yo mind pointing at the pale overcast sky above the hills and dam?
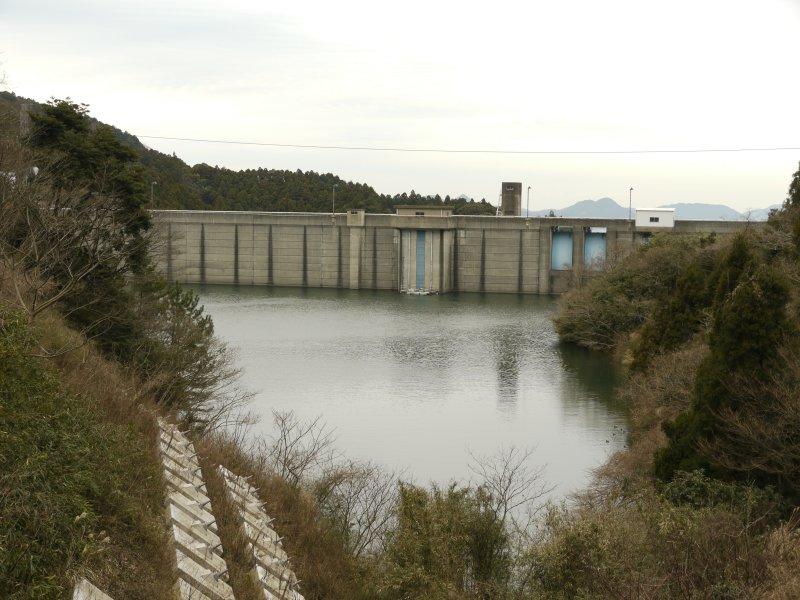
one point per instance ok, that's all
(535, 75)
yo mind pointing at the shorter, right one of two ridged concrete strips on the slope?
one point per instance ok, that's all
(271, 570)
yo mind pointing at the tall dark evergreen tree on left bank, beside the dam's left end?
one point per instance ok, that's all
(86, 159)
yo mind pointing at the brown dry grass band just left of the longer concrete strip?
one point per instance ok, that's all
(135, 560)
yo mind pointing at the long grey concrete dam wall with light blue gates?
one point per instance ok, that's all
(420, 249)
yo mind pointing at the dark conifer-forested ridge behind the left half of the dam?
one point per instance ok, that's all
(180, 186)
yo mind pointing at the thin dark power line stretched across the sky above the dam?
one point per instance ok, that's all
(455, 151)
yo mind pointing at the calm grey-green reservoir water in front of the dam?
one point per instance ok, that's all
(414, 383)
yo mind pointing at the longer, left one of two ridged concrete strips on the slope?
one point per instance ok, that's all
(201, 569)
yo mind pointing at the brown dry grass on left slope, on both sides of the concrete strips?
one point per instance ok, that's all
(137, 560)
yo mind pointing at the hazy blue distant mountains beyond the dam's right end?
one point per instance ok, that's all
(607, 208)
